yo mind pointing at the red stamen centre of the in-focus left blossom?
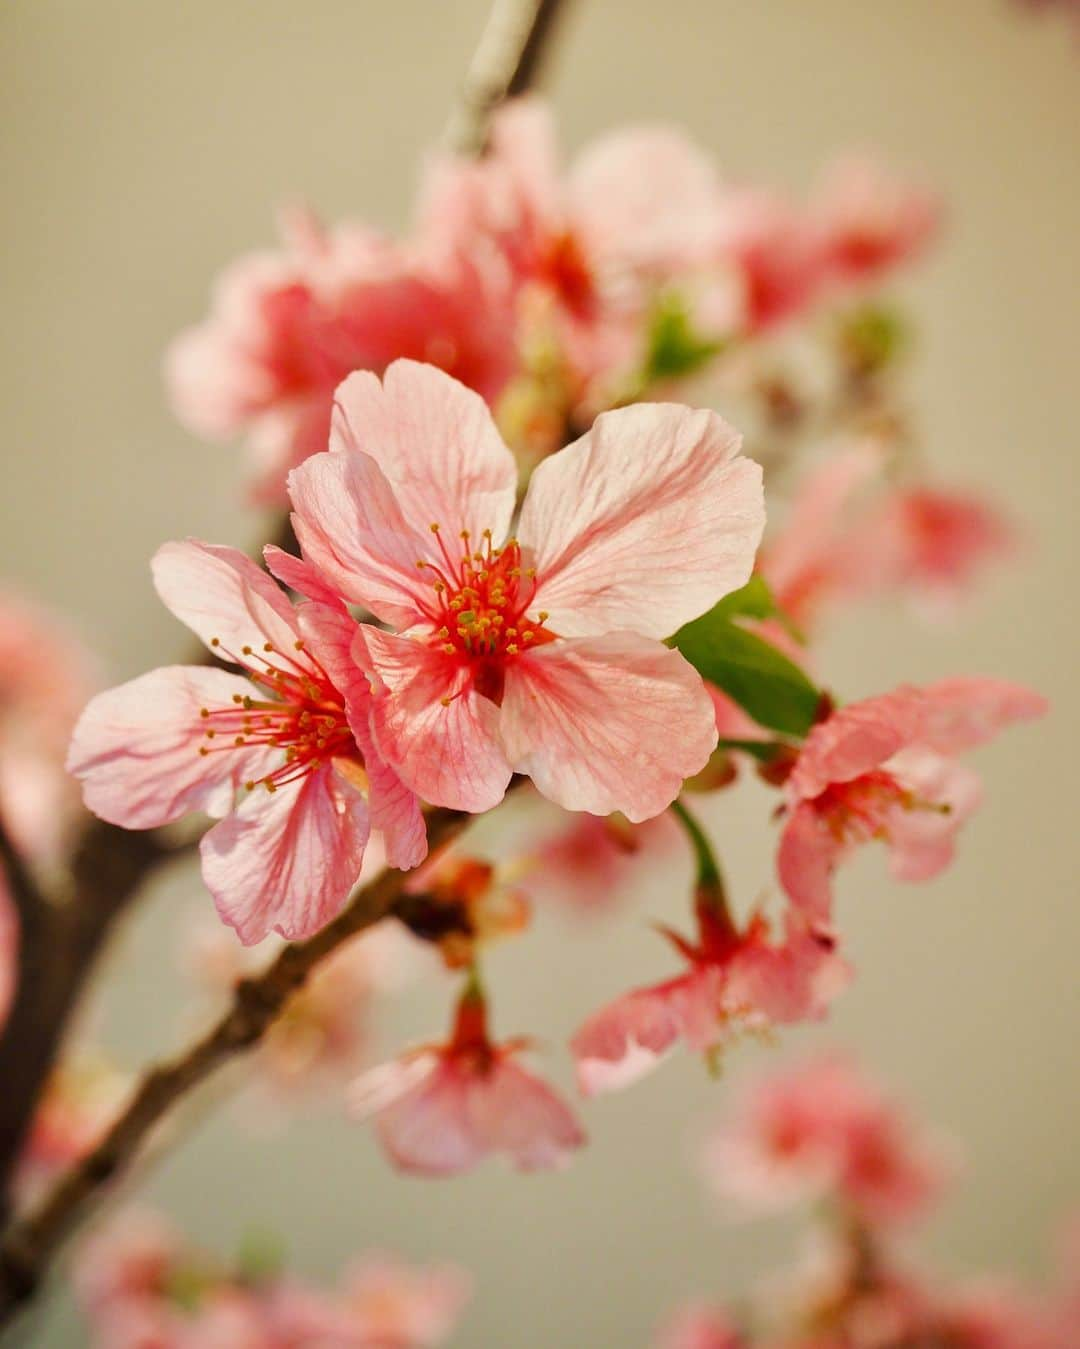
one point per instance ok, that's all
(295, 708)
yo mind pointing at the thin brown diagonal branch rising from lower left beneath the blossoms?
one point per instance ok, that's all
(32, 1242)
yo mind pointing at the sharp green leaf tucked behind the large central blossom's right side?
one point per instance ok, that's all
(757, 677)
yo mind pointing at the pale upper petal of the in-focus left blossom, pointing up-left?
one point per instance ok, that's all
(219, 593)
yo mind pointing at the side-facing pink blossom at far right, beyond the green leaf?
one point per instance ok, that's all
(885, 768)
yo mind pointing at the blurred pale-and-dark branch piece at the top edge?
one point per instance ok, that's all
(508, 63)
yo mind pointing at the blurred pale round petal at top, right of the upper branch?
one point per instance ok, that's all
(645, 198)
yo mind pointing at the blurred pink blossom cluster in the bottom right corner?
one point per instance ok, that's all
(823, 1131)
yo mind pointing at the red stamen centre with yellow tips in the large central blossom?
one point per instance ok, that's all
(481, 605)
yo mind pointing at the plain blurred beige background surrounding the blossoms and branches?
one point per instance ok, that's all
(146, 145)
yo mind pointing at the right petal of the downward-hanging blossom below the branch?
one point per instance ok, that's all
(514, 1112)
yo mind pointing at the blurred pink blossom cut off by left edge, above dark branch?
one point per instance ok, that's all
(47, 675)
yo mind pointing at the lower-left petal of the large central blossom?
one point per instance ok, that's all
(448, 755)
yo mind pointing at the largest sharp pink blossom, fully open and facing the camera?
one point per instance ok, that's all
(540, 655)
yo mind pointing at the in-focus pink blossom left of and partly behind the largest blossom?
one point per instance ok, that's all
(281, 737)
